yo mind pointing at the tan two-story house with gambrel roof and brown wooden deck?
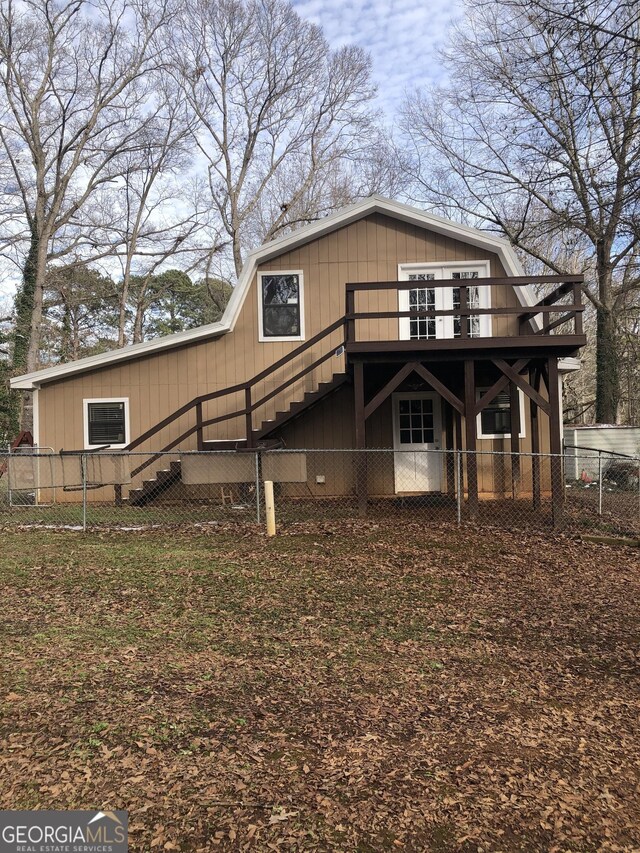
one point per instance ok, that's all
(381, 326)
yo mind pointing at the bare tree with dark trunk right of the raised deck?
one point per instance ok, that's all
(538, 137)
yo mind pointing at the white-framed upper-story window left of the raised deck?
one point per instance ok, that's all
(281, 306)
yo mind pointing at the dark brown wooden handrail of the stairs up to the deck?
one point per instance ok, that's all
(247, 386)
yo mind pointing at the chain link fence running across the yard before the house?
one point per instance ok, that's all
(596, 492)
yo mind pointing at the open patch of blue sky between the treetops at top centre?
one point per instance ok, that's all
(404, 37)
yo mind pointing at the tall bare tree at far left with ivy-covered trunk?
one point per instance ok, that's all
(75, 86)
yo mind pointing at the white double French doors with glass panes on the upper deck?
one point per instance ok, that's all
(445, 299)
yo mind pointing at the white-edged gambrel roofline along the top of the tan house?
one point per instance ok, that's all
(345, 216)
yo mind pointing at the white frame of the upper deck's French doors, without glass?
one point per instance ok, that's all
(442, 270)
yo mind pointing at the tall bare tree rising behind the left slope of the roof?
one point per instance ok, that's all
(279, 114)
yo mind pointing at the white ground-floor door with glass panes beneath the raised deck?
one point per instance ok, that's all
(416, 429)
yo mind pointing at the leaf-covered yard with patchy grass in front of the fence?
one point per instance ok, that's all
(343, 687)
